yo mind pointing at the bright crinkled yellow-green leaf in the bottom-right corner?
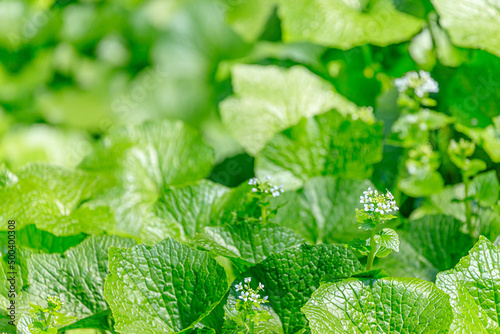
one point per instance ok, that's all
(474, 286)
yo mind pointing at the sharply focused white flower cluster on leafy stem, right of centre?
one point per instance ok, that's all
(376, 211)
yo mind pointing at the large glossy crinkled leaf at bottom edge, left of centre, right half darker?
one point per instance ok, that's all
(167, 288)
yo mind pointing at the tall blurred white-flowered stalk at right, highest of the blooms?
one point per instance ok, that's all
(414, 130)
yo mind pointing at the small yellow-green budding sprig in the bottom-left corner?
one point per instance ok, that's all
(48, 319)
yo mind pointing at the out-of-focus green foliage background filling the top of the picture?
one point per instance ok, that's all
(72, 70)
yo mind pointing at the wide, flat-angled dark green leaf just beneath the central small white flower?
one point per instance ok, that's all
(247, 244)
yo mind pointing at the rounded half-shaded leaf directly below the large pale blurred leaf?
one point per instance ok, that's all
(328, 144)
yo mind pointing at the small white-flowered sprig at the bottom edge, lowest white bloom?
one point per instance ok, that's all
(249, 307)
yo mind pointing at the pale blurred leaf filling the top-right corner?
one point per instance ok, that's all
(481, 30)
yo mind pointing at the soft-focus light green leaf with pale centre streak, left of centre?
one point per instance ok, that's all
(146, 158)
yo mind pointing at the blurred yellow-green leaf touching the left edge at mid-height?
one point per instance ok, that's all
(57, 200)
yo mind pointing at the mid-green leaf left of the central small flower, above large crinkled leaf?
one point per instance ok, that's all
(191, 206)
